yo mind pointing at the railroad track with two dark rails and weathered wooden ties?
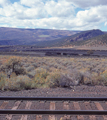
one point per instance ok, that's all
(41, 108)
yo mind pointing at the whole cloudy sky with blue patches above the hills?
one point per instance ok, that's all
(54, 14)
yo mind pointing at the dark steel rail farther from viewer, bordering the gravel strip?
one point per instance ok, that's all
(56, 98)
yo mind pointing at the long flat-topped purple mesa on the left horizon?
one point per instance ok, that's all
(17, 36)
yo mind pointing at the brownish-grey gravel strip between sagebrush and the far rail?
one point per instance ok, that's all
(74, 91)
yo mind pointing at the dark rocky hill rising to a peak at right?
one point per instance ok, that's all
(78, 39)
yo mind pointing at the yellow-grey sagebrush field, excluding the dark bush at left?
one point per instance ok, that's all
(42, 72)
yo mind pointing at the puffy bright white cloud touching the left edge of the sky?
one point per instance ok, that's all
(19, 11)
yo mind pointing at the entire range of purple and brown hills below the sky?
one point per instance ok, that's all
(52, 38)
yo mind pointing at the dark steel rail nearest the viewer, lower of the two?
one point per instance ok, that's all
(55, 112)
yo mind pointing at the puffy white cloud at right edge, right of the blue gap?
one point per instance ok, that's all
(94, 15)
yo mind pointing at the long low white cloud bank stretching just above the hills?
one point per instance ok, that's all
(51, 23)
